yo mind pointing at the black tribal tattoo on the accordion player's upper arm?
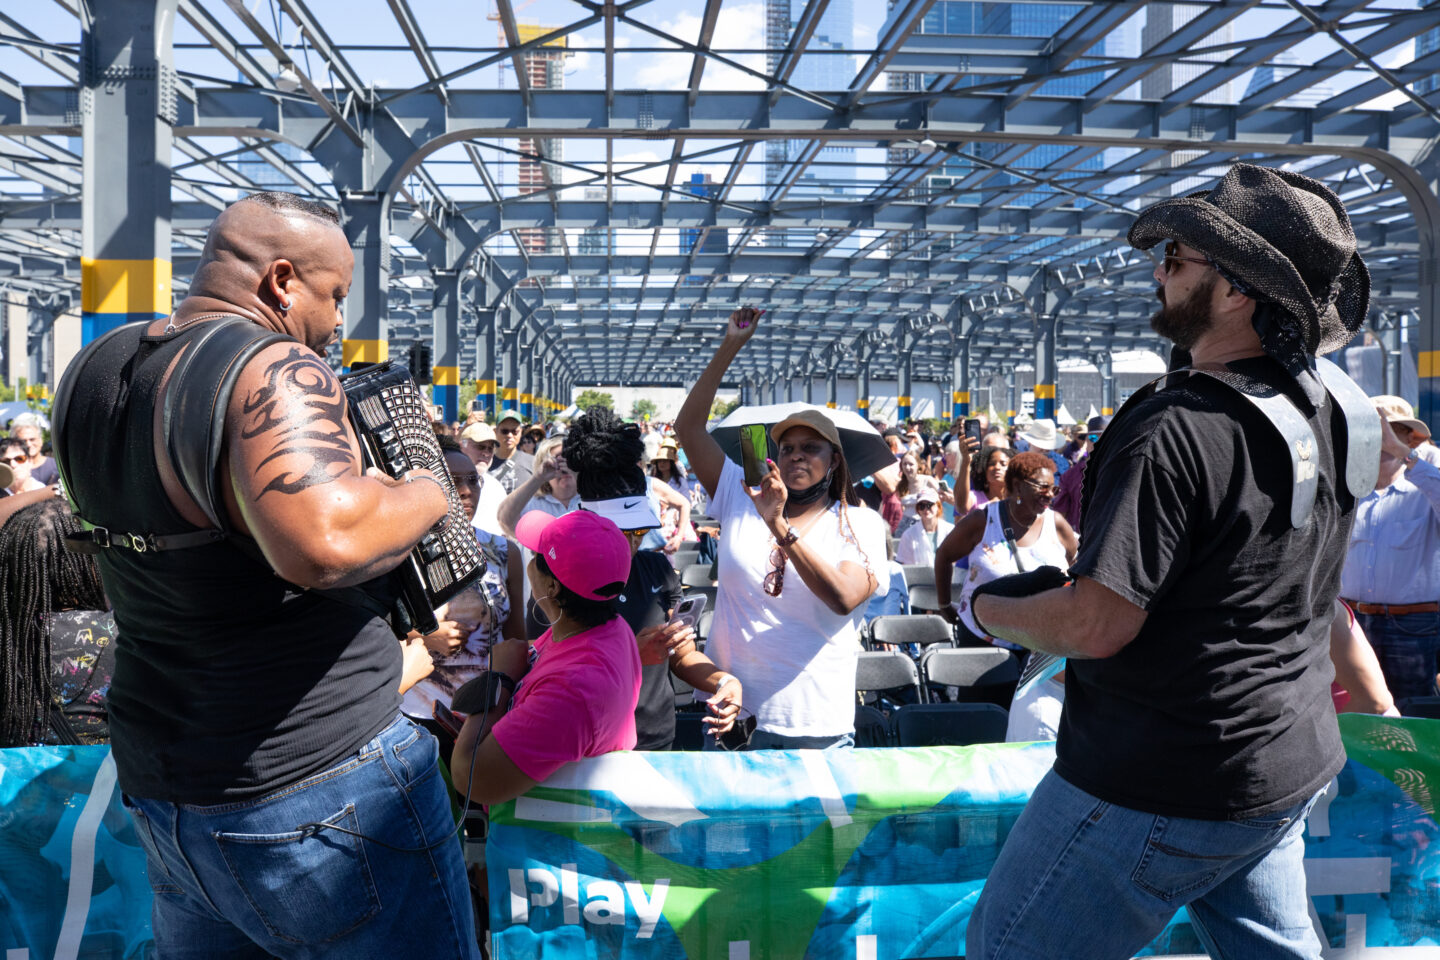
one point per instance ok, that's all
(300, 412)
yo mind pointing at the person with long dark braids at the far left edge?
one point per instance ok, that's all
(55, 634)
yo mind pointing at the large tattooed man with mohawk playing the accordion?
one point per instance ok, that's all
(286, 807)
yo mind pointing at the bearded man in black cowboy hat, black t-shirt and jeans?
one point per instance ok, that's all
(1197, 728)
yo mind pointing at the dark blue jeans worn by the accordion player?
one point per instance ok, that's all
(240, 880)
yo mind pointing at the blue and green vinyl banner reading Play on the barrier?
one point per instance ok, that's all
(881, 854)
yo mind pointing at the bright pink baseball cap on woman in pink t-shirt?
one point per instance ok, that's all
(585, 552)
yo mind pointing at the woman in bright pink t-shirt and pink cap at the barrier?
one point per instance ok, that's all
(575, 696)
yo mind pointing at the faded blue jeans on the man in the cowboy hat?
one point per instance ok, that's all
(1085, 879)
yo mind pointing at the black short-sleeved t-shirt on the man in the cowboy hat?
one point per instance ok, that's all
(1220, 707)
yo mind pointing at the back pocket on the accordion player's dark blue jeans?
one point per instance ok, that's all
(305, 886)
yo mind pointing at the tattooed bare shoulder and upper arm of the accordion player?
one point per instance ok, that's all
(287, 421)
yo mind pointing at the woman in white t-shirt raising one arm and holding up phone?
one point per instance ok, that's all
(798, 562)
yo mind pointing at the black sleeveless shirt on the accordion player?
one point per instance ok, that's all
(230, 683)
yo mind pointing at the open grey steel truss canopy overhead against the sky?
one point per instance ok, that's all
(578, 192)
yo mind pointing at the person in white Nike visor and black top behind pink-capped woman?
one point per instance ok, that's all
(606, 456)
